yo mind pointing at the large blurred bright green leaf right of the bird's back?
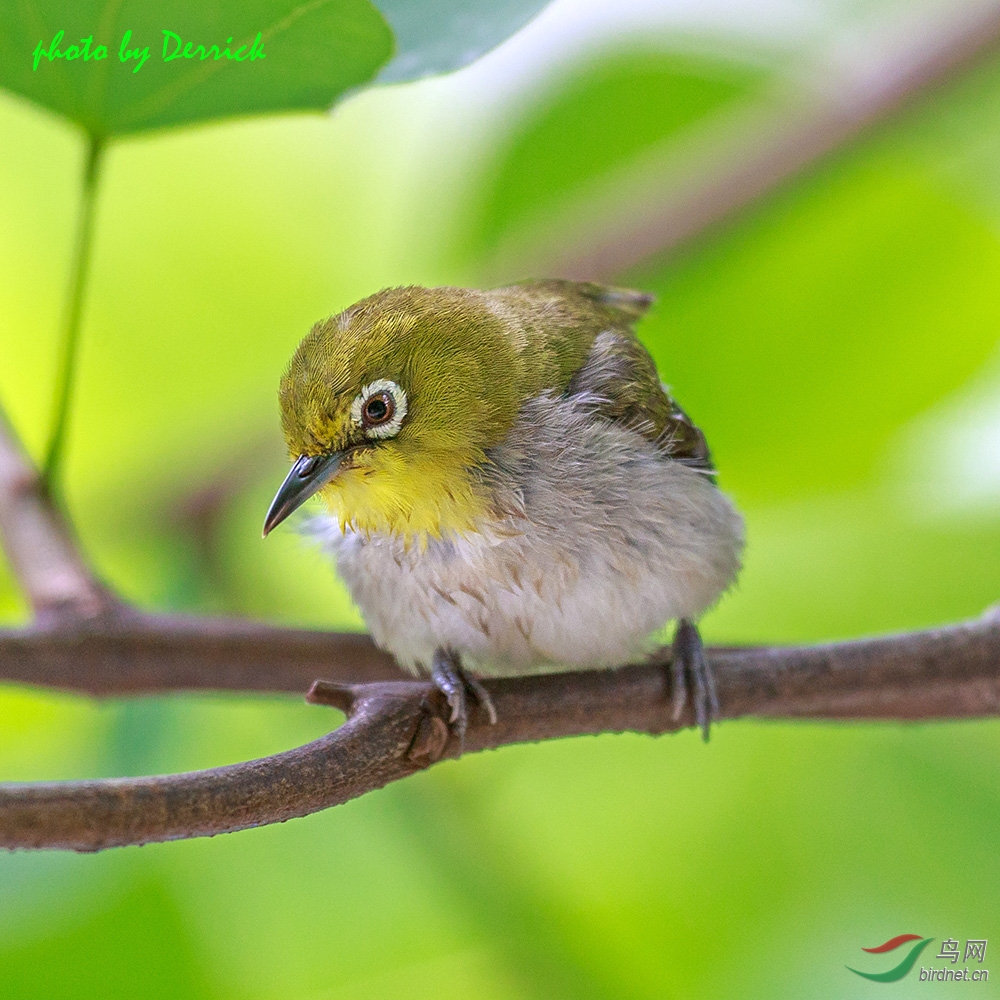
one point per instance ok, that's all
(809, 333)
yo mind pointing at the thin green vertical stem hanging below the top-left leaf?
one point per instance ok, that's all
(80, 267)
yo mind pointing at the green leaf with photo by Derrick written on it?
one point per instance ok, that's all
(282, 56)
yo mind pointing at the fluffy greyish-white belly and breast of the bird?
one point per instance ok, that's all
(607, 541)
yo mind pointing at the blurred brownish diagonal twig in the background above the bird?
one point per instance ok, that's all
(676, 199)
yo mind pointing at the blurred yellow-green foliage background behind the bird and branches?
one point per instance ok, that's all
(838, 343)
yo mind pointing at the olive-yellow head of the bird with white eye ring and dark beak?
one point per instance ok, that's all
(388, 408)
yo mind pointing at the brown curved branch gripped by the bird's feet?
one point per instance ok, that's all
(395, 729)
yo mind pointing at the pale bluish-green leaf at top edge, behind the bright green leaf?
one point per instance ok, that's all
(436, 36)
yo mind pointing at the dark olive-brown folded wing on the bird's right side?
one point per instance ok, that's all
(620, 381)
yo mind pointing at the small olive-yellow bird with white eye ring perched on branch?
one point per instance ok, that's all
(510, 488)
